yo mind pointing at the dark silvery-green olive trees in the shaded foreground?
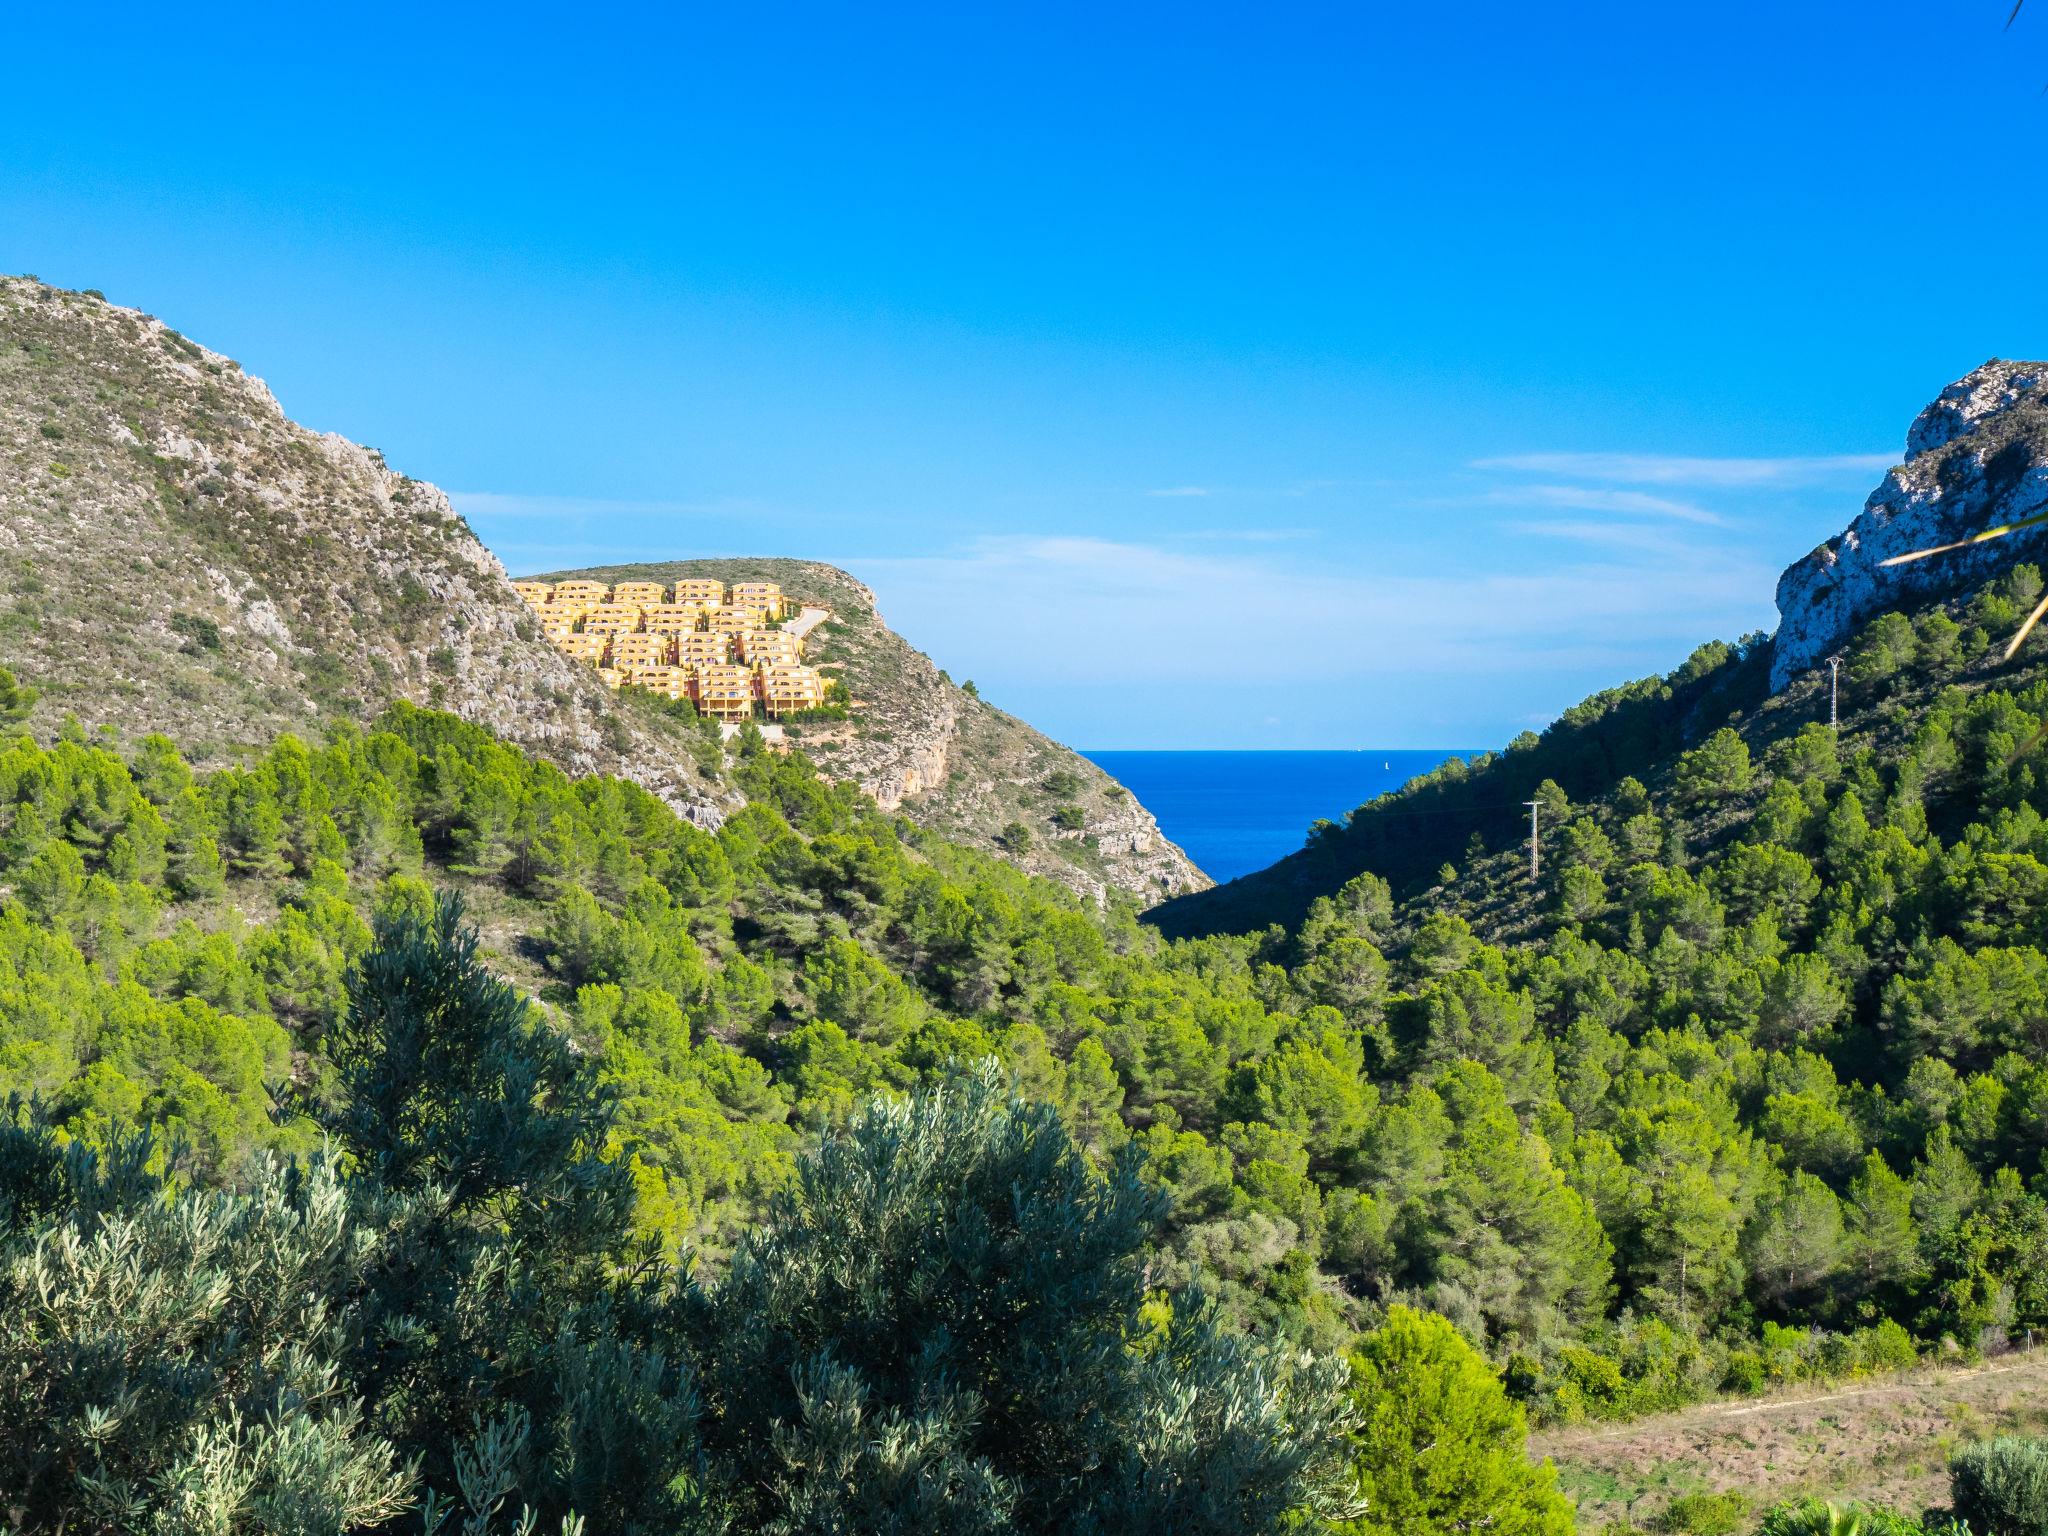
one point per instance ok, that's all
(441, 1320)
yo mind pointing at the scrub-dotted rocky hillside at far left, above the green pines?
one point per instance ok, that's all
(177, 554)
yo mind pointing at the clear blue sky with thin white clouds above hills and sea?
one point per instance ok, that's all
(1187, 376)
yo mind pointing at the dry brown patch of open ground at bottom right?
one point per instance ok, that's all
(1883, 1441)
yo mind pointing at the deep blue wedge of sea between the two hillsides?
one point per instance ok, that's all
(1238, 812)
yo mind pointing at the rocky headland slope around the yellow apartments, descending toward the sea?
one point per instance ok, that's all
(943, 757)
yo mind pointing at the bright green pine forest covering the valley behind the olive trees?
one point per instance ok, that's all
(1748, 1091)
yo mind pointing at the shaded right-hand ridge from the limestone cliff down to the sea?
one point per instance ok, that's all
(1975, 458)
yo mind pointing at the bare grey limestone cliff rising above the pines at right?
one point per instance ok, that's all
(1975, 458)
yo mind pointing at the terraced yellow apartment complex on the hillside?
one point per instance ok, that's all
(722, 648)
